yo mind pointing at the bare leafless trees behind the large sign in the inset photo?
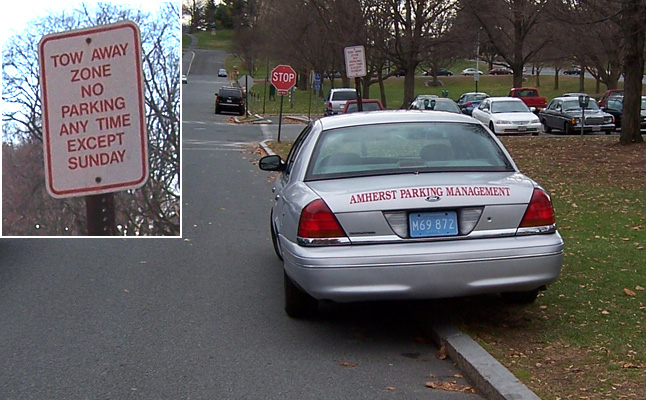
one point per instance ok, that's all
(153, 209)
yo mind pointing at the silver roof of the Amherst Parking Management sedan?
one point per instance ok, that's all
(391, 116)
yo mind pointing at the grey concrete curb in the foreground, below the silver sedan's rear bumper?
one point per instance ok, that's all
(491, 379)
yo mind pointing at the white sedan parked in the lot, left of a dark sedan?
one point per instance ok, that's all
(507, 115)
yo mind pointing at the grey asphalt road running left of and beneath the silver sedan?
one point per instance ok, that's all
(197, 317)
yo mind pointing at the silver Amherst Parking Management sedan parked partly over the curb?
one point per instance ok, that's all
(407, 205)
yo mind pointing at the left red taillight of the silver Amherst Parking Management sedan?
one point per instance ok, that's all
(318, 222)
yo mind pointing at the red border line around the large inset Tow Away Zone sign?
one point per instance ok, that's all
(98, 189)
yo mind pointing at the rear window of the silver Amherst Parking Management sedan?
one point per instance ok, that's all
(399, 148)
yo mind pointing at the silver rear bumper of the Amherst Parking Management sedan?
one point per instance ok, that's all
(424, 270)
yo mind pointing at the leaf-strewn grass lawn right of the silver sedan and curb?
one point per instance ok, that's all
(584, 338)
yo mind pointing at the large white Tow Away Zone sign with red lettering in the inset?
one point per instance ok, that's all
(94, 131)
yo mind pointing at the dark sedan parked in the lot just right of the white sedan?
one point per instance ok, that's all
(565, 113)
